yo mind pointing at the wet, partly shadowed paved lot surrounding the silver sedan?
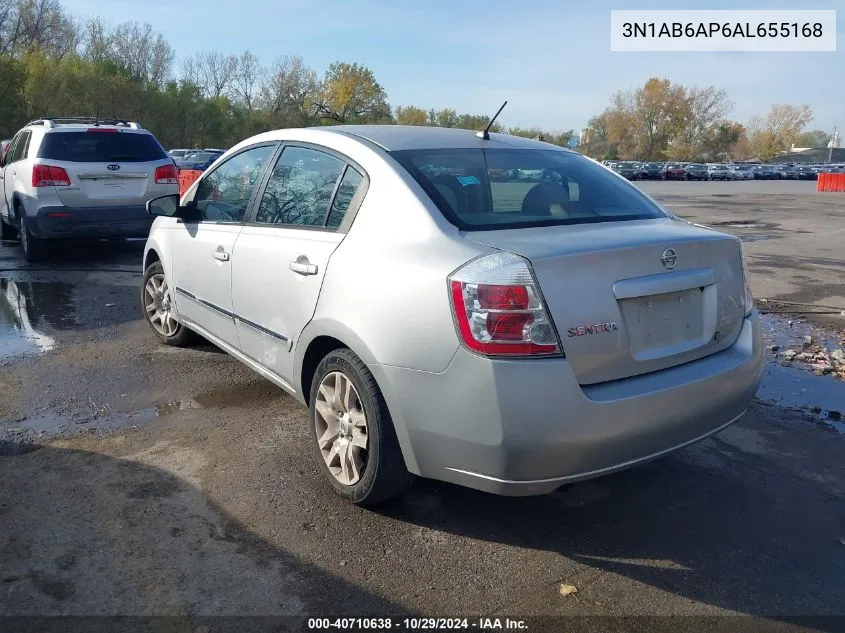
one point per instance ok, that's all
(137, 479)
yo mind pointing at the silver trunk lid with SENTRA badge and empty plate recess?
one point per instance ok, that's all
(633, 297)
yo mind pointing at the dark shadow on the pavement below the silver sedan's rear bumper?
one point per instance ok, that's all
(738, 526)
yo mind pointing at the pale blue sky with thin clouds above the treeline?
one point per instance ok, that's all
(550, 59)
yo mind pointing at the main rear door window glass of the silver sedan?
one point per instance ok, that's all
(300, 188)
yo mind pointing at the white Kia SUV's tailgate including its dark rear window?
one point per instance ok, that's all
(108, 166)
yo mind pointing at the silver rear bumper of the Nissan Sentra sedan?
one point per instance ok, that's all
(527, 427)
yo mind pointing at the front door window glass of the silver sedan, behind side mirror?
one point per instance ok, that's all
(224, 193)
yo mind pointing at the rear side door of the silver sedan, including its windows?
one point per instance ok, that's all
(281, 255)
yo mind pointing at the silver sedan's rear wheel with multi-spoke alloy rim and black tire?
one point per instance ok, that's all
(352, 432)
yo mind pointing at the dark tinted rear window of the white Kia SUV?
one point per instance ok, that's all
(101, 147)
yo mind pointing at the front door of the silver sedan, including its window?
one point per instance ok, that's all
(204, 244)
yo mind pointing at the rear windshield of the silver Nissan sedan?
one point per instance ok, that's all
(497, 189)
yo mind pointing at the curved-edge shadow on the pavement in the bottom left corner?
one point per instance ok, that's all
(88, 534)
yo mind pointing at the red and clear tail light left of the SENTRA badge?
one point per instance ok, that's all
(499, 310)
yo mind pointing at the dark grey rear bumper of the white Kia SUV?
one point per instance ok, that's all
(67, 222)
